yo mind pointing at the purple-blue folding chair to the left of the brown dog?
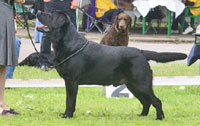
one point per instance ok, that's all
(93, 21)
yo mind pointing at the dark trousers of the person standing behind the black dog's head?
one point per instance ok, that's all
(45, 47)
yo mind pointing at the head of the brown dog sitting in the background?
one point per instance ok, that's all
(123, 22)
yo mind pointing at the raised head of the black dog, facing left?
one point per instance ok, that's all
(53, 20)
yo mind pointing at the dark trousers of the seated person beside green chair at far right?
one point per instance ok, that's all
(179, 19)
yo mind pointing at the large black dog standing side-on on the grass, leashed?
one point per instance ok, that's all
(79, 61)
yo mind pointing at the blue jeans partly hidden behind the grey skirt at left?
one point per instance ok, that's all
(10, 69)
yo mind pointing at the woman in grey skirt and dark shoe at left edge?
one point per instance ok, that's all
(8, 55)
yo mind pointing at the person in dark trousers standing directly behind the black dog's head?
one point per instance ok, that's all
(69, 6)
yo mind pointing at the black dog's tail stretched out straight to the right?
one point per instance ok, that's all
(163, 56)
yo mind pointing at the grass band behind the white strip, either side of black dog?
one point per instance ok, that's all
(168, 69)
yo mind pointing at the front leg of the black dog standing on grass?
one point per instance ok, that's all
(71, 93)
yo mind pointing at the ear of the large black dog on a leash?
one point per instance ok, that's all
(59, 19)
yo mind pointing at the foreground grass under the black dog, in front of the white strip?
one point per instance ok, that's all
(42, 107)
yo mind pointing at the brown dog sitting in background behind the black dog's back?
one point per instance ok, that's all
(118, 32)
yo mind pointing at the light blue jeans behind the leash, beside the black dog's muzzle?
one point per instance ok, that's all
(38, 35)
